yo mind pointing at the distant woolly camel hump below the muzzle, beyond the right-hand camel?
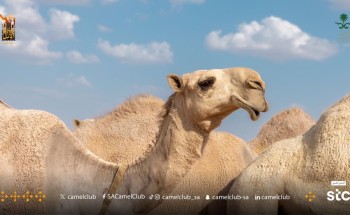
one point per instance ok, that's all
(286, 124)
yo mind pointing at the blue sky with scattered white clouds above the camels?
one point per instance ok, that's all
(79, 59)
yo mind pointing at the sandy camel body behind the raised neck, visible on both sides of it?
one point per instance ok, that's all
(224, 156)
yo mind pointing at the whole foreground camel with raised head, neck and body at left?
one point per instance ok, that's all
(54, 161)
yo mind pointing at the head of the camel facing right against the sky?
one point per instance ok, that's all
(208, 96)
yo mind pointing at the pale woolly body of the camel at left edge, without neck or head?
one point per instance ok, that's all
(32, 159)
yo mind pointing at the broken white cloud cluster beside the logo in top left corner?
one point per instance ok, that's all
(33, 34)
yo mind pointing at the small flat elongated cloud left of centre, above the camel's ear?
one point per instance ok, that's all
(155, 52)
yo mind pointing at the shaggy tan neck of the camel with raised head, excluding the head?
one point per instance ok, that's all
(178, 147)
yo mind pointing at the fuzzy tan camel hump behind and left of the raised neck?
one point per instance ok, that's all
(124, 134)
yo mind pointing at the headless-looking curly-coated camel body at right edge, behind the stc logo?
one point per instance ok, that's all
(299, 171)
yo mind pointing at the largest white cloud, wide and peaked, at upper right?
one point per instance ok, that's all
(272, 38)
